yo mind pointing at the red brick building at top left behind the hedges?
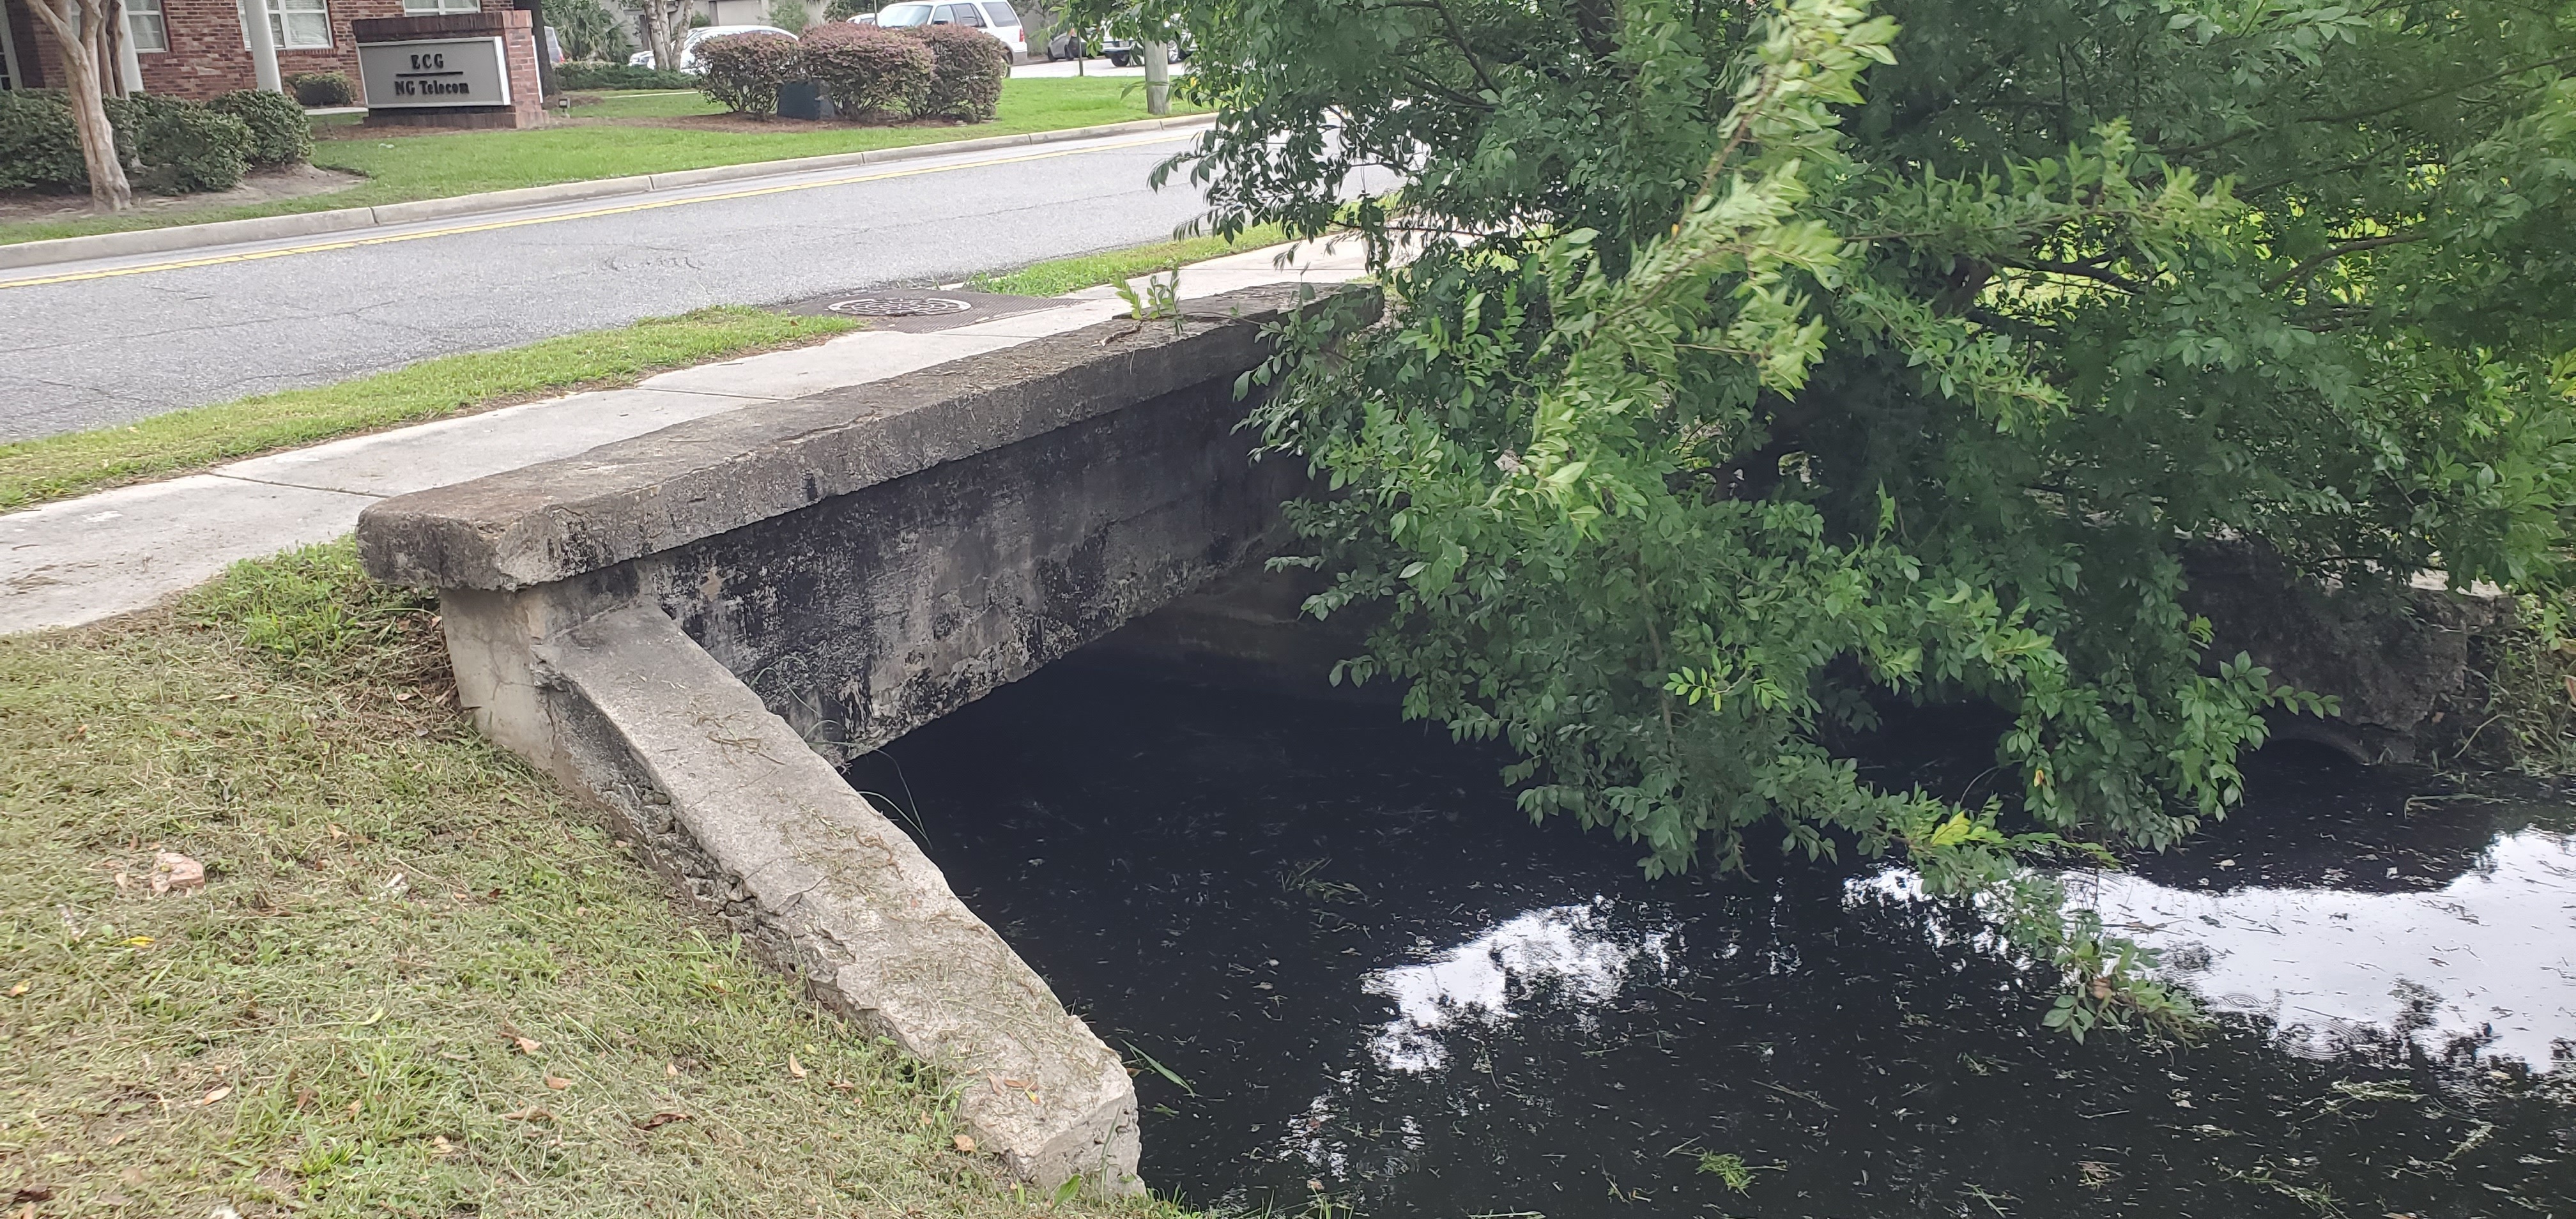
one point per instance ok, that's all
(200, 48)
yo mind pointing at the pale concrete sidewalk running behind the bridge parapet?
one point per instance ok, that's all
(115, 553)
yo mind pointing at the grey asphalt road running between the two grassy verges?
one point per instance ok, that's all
(148, 336)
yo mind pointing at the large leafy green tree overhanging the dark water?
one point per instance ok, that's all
(1756, 367)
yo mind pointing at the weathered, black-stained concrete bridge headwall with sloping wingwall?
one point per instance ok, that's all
(676, 625)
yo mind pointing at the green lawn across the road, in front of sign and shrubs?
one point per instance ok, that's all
(403, 169)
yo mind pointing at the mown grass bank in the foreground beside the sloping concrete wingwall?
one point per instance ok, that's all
(416, 981)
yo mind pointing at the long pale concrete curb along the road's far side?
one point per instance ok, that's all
(367, 218)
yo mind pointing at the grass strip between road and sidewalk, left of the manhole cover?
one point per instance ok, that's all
(452, 385)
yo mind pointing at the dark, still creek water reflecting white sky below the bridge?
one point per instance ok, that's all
(1385, 983)
